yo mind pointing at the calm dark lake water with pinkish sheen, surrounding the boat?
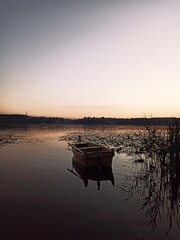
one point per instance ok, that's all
(41, 199)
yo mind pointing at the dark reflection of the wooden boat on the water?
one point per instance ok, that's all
(93, 173)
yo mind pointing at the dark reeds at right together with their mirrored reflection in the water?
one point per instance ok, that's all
(157, 181)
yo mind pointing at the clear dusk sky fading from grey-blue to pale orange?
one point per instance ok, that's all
(77, 58)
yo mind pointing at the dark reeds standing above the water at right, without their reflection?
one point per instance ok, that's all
(163, 142)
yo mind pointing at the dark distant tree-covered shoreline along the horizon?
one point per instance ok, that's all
(24, 119)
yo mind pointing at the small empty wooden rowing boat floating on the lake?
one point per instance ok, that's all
(91, 154)
